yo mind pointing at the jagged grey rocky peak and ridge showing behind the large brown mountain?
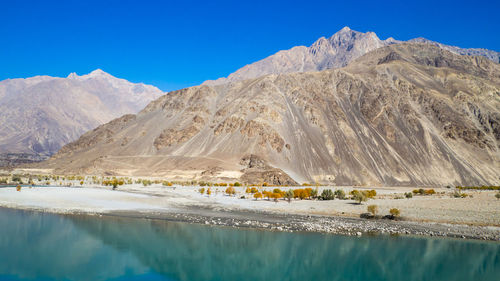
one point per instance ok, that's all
(334, 52)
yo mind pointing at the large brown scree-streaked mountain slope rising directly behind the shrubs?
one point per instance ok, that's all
(404, 114)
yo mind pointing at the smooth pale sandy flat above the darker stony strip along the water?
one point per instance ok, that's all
(482, 209)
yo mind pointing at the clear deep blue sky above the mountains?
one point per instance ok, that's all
(175, 44)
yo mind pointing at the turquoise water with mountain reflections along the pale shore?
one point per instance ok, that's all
(88, 248)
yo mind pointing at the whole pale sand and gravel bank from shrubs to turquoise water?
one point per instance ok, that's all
(441, 215)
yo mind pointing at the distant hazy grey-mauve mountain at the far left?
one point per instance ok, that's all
(41, 114)
